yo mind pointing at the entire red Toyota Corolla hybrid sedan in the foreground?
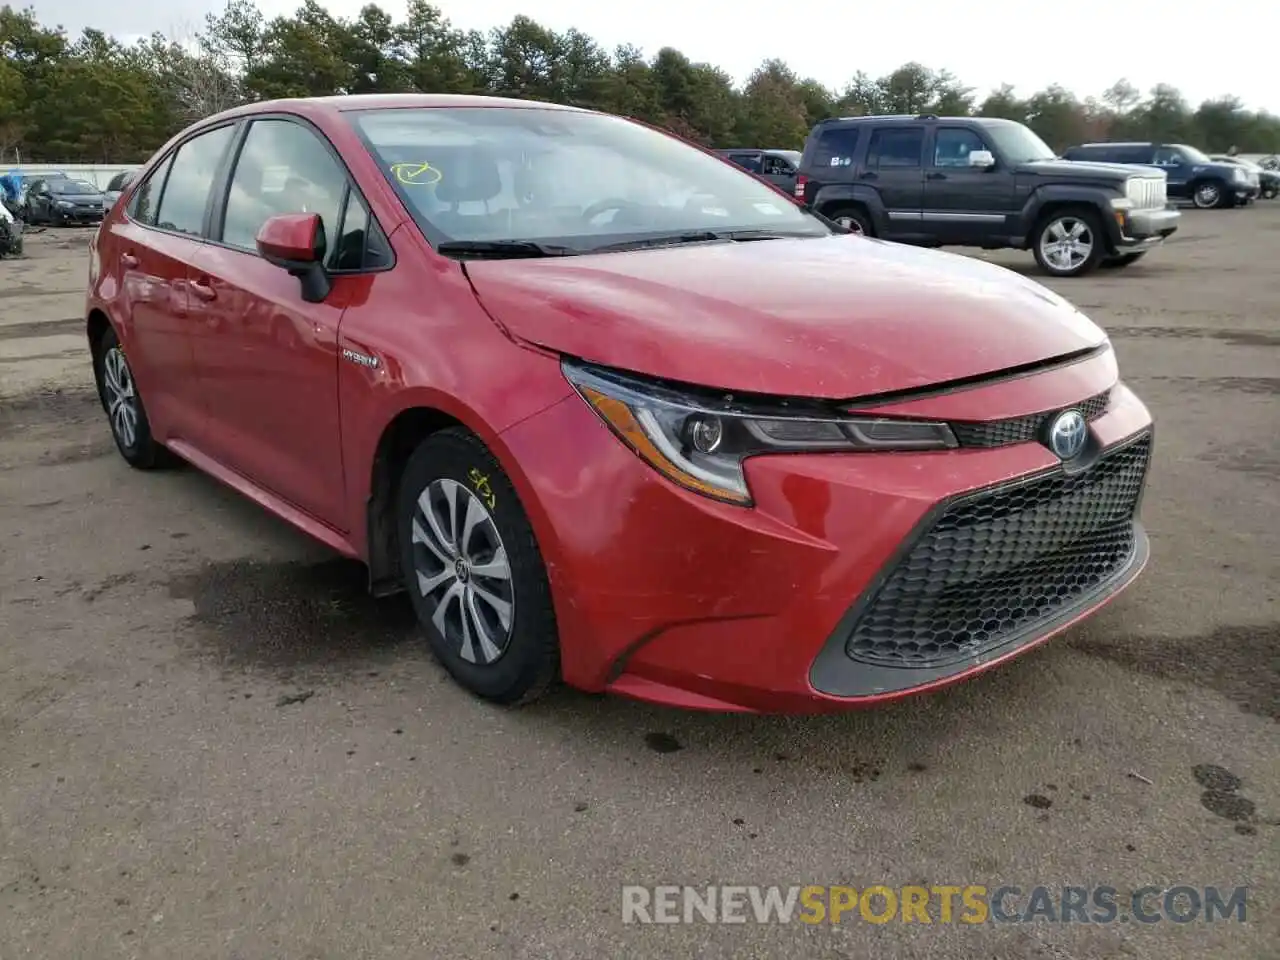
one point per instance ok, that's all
(612, 410)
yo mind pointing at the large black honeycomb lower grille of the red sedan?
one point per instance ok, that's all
(994, 565)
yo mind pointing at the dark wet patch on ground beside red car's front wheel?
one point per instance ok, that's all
(298, 619)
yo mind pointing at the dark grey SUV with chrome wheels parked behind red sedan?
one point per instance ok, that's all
(982, 182)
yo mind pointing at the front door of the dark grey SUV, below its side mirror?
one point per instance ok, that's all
(966, 204)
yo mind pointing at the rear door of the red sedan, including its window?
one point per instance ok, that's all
(156, 245)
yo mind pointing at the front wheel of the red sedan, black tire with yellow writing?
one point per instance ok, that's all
(520, 660)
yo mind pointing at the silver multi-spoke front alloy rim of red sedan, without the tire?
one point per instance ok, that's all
(464, 572)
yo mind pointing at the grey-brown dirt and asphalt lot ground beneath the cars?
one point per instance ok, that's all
(213, 746)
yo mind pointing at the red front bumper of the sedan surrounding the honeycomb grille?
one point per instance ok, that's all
(668, 597)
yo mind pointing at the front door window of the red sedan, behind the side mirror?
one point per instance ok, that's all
(284, 168)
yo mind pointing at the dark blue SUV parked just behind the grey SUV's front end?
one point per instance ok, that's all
(1192, 175)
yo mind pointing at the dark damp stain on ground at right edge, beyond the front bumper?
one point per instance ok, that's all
(1240, 662)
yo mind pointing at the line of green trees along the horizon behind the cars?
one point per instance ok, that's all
(97, 100)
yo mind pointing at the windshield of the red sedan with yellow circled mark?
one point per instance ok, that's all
(578, 180)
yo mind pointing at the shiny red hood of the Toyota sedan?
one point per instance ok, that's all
(833, 318)
